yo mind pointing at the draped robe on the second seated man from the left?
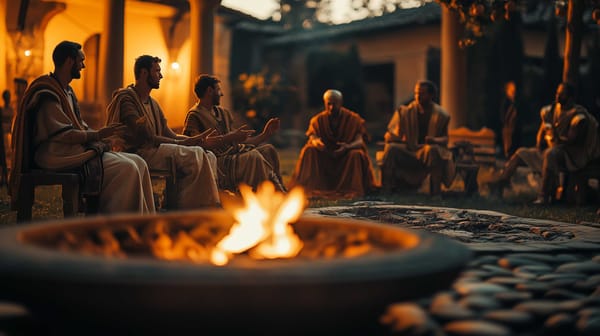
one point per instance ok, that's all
(196, 182)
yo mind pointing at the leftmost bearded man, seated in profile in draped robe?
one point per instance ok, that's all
(49, 133)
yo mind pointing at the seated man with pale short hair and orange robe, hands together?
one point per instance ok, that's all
(335, 162)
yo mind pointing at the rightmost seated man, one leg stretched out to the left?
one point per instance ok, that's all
(571, 133)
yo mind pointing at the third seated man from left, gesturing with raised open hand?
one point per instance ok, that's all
(240, 158)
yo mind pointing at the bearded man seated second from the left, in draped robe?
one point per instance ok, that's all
(149, 136)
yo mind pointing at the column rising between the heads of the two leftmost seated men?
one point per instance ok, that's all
(110, 70)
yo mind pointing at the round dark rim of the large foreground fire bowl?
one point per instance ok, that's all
(44, 262)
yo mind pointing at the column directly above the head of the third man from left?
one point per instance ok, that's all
(202, 36)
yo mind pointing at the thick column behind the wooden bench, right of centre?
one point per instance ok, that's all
(454, 70)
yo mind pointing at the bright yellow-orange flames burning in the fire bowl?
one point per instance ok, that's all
(263, 227)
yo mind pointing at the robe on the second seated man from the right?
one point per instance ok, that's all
(407, 163)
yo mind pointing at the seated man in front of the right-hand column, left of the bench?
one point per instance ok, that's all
(416, 144)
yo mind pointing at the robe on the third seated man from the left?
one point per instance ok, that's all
(236, 163)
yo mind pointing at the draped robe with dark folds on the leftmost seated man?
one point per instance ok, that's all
(47, 117)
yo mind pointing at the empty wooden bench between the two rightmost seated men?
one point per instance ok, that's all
(472, 149)
